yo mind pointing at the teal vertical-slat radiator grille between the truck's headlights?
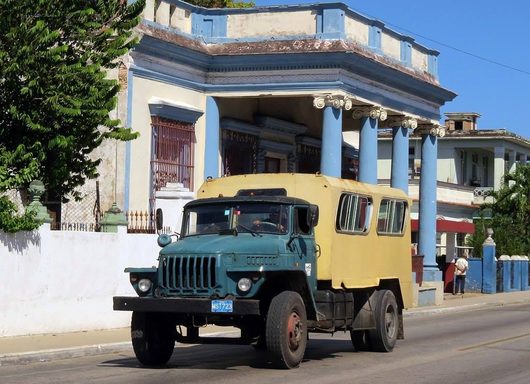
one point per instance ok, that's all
(189, 274)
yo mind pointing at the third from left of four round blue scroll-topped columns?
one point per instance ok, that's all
(400, 159)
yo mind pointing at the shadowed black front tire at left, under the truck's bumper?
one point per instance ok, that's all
(152, 337)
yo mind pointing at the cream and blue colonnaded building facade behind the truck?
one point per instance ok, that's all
(303, 88)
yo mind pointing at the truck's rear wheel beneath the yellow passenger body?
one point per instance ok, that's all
(383, 337)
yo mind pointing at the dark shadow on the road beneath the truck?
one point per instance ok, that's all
(228, 357)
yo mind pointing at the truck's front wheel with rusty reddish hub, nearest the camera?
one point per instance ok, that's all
(286, 330)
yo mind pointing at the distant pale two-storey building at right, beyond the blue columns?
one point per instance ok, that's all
(470, 163)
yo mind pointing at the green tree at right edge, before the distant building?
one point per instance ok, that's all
(510, 213)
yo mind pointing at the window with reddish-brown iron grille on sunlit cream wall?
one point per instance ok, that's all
(172, 153)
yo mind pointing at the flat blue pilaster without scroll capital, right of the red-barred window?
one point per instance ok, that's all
(212, 134)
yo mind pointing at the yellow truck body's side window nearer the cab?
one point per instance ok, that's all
(354, 213)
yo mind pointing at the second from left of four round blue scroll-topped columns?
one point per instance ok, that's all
(368, 150)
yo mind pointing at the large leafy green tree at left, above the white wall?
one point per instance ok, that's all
(55, 96)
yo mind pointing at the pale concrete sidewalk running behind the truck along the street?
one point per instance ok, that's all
(26, 349)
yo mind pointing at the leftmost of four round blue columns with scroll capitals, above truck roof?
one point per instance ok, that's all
(331, 156)
